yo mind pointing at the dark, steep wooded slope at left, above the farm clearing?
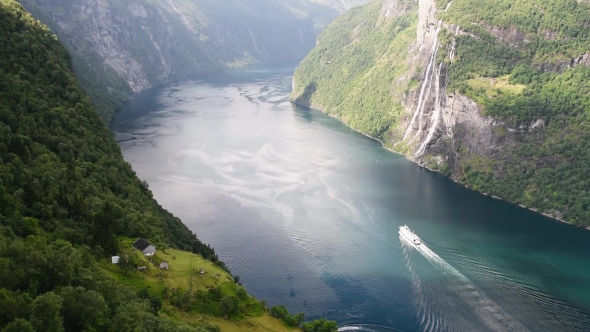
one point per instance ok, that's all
(60, 163)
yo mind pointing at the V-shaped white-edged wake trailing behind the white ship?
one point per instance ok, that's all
(447, 300)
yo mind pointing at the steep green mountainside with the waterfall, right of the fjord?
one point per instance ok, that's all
(490, 93)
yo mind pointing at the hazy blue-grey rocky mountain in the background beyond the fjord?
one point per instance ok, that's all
(122, 46)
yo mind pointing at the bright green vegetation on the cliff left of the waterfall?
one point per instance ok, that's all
(351, 74)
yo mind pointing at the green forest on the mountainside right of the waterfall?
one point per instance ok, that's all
(547, 169)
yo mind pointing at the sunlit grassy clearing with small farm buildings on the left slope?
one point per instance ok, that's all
(205, 283)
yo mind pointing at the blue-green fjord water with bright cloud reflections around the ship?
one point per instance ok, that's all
(306, 211)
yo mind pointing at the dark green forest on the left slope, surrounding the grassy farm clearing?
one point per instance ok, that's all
(69, 201)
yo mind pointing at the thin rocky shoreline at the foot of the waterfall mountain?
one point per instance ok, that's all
(435, 171)
